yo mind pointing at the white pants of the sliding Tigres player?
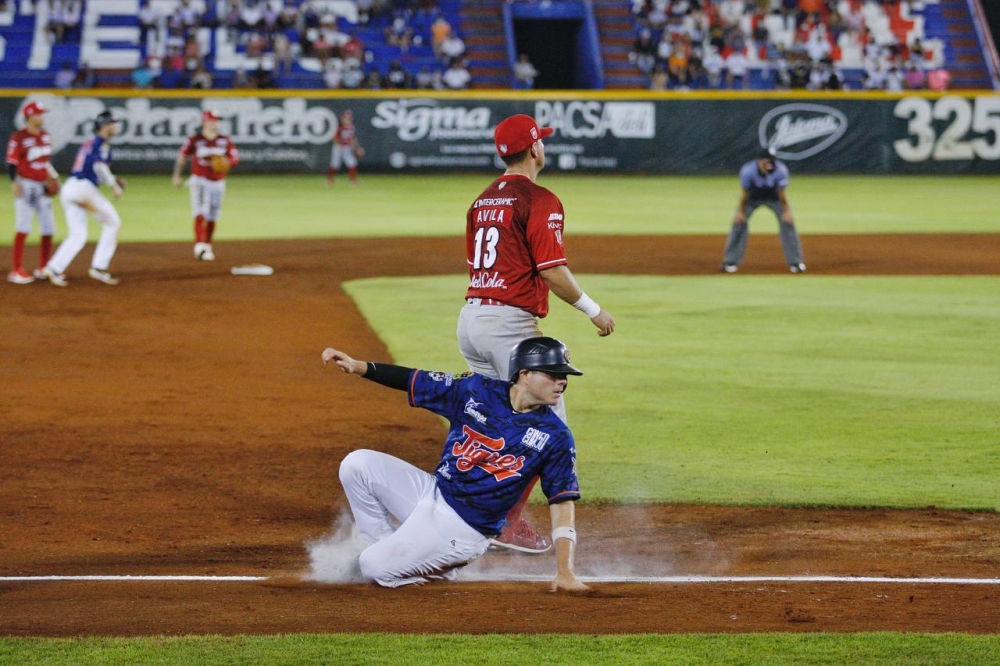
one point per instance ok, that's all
(431, 542)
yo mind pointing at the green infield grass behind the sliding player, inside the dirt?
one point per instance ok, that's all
(760, 390)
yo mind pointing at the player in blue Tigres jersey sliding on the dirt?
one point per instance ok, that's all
(502, 434)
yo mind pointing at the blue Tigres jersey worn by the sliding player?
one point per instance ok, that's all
(492, 452)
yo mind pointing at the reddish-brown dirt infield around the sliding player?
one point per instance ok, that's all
(181, 423)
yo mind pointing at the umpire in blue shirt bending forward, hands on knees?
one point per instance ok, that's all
(763, 181)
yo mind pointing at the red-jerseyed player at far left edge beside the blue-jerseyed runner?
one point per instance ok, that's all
(28, 153)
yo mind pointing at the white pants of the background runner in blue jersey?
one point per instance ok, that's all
(79, 196)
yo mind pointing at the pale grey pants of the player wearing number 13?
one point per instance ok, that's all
(488, 333)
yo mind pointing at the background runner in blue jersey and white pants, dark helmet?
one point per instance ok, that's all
(81, 194)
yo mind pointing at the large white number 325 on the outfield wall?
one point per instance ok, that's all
(949, 128)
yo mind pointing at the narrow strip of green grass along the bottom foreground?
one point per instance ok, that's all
(503, 650)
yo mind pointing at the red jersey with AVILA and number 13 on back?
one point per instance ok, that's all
(513, 232)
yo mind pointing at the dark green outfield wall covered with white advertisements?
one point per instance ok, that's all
(957, 134)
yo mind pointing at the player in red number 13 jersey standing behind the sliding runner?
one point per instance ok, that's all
(515, 253)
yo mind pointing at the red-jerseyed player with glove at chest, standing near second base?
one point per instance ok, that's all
(212, 156)
